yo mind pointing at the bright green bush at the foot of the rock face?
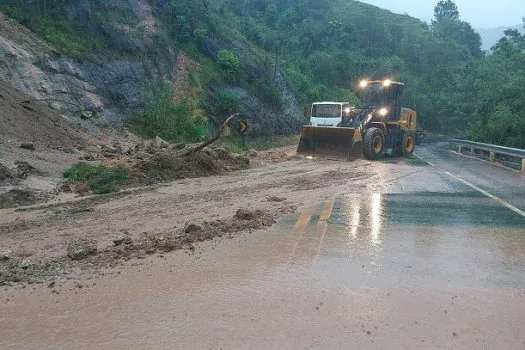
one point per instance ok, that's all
(162, 117)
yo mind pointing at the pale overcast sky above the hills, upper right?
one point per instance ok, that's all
(480, 13)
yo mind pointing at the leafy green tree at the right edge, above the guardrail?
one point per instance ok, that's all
(491, 94)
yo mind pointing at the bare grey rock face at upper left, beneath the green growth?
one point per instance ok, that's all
(112, 87)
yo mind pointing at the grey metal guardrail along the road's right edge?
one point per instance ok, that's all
(493, 152)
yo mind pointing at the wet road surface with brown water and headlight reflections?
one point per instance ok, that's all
(418, 260)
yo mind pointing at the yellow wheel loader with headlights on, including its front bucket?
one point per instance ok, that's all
(381, 127)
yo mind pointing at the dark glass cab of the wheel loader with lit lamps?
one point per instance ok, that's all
(383, 96)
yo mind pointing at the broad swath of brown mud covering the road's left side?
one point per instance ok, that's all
(36, 243)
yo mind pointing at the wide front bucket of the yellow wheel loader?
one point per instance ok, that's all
(330, 141)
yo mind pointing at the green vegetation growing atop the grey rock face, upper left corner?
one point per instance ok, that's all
(49, 19)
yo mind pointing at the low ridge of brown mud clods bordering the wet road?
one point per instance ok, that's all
(82, 254)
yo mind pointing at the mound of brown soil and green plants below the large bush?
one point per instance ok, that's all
(147, 163)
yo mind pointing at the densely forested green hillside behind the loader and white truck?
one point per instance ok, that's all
(324, 47)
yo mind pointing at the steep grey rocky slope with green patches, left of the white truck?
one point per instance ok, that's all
(127, 51)
